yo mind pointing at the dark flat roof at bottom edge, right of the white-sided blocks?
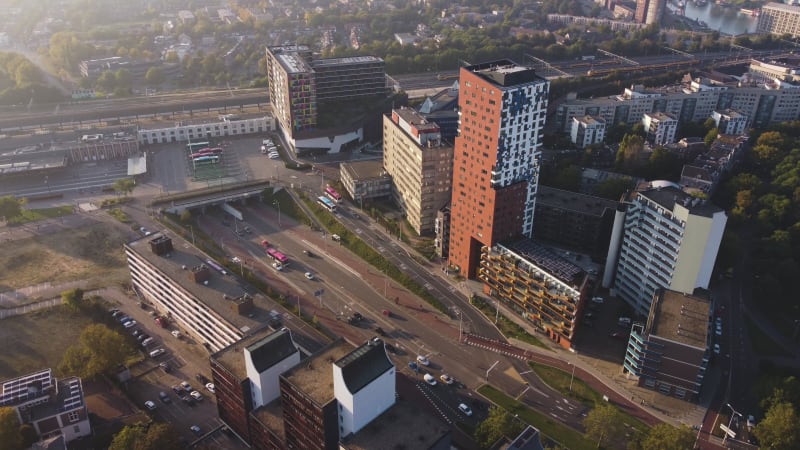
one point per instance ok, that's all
(404, 425)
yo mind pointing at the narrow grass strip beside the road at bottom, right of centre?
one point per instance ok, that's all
(549, 427)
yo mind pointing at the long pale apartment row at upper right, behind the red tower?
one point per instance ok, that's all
(694, 101)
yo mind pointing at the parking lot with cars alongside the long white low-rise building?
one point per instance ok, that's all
(183, 360)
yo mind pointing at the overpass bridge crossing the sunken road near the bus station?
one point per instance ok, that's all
(201, 198)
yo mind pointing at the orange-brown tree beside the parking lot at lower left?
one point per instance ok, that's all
(99, 349)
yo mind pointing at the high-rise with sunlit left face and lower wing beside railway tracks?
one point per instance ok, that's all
(298, 84)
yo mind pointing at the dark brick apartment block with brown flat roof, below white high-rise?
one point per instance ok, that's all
(670, 353)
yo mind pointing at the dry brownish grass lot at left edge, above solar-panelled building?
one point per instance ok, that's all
(38, 340)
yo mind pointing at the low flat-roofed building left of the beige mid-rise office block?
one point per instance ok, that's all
(365, 180)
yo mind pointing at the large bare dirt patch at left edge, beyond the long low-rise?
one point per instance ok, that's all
(92, 252)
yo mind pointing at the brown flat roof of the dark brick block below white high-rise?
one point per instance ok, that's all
(681, 317)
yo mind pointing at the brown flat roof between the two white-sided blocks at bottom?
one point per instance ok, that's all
(314, 376)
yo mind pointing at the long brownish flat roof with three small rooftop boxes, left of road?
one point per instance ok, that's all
(219, 294)
